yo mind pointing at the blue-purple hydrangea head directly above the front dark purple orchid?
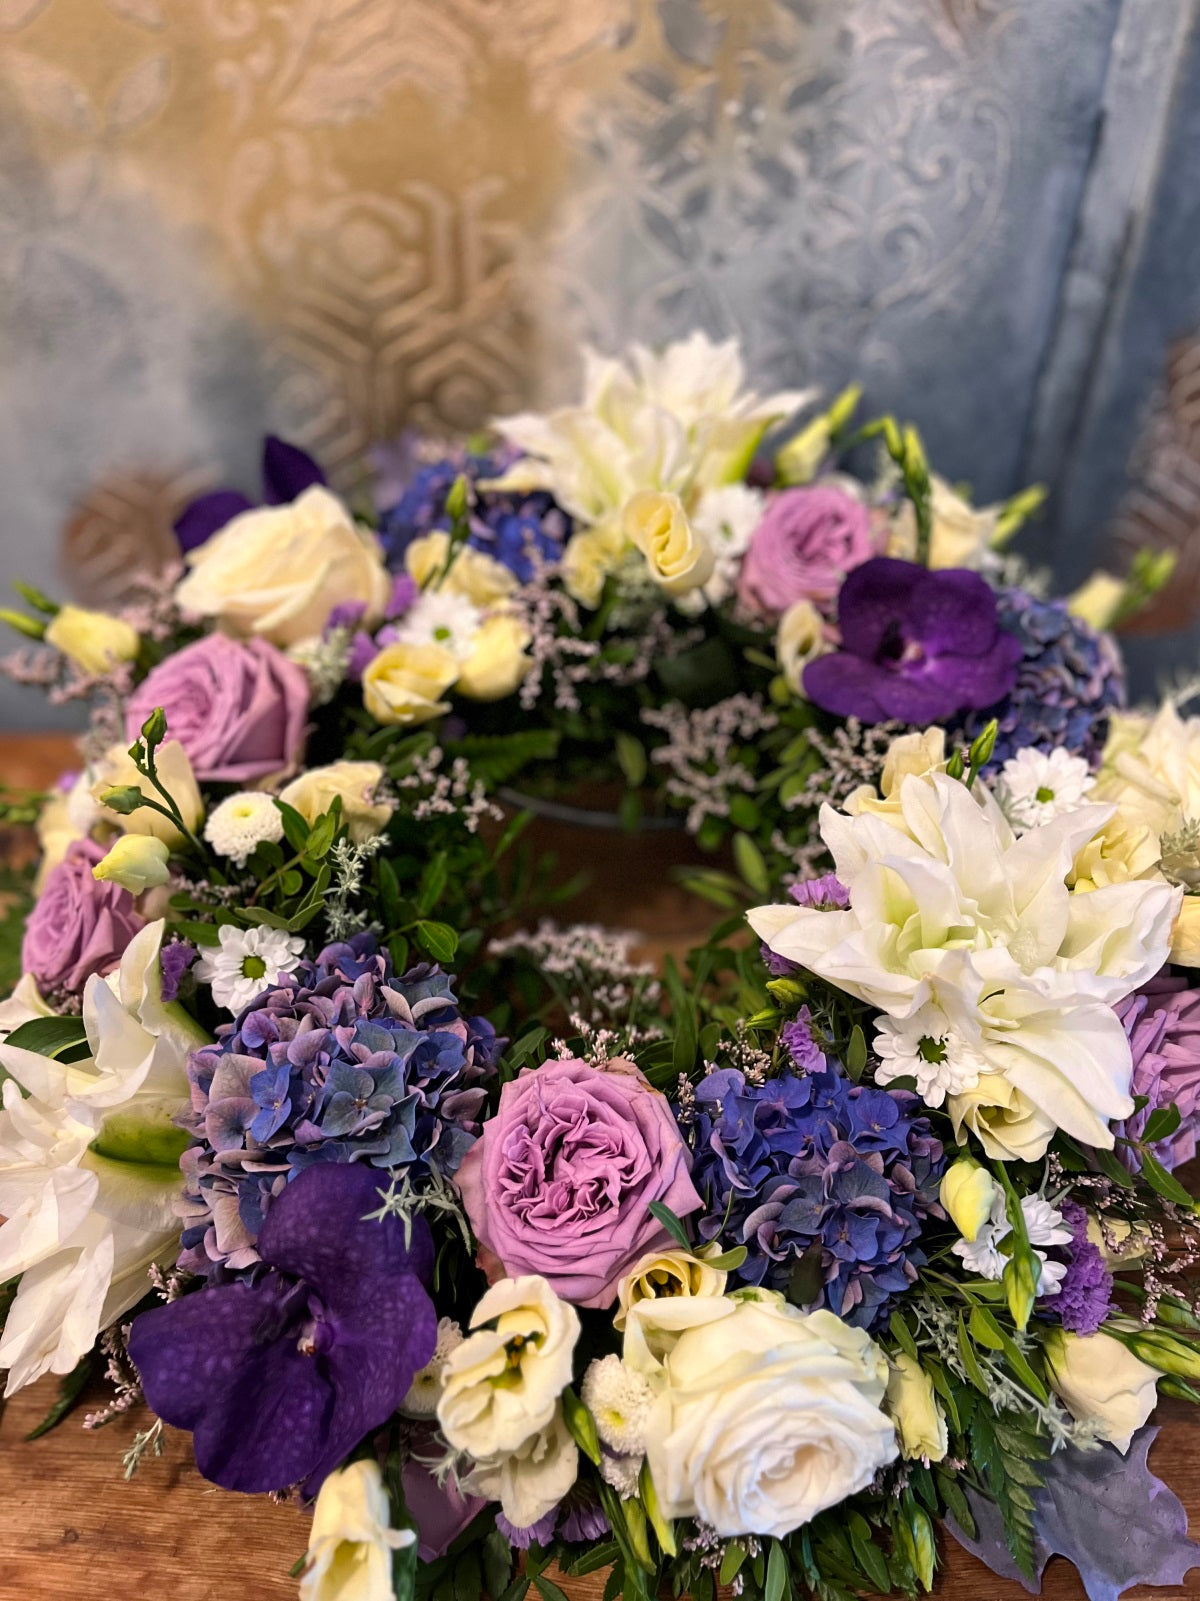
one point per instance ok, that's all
(340, 1062)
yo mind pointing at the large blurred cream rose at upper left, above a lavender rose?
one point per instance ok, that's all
(279, 572)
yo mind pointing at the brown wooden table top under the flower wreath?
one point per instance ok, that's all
(73, 1530)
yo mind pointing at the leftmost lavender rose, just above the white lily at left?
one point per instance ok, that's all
(81, 926)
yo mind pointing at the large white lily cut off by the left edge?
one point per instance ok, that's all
(90, 1166)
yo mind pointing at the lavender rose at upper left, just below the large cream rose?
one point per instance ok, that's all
(236, 708)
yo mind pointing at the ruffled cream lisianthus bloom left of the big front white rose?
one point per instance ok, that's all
(529, 1347)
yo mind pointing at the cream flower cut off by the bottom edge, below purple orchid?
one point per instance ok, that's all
(351, 1543)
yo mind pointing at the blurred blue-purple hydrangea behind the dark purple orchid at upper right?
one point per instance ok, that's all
(1068, 680)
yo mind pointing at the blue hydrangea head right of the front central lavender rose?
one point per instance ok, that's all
(815, 1160)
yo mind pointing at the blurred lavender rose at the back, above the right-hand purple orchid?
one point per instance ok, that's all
(802, 550)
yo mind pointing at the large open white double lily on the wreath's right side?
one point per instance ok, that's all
(962, 929)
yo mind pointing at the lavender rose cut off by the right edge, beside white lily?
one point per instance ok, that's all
(1162, 1022)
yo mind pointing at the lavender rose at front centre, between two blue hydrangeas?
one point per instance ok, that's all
(562, 1179)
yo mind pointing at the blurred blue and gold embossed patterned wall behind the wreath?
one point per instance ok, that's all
(335, 219)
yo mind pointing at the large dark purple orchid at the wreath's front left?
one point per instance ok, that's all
(281, 1378)
